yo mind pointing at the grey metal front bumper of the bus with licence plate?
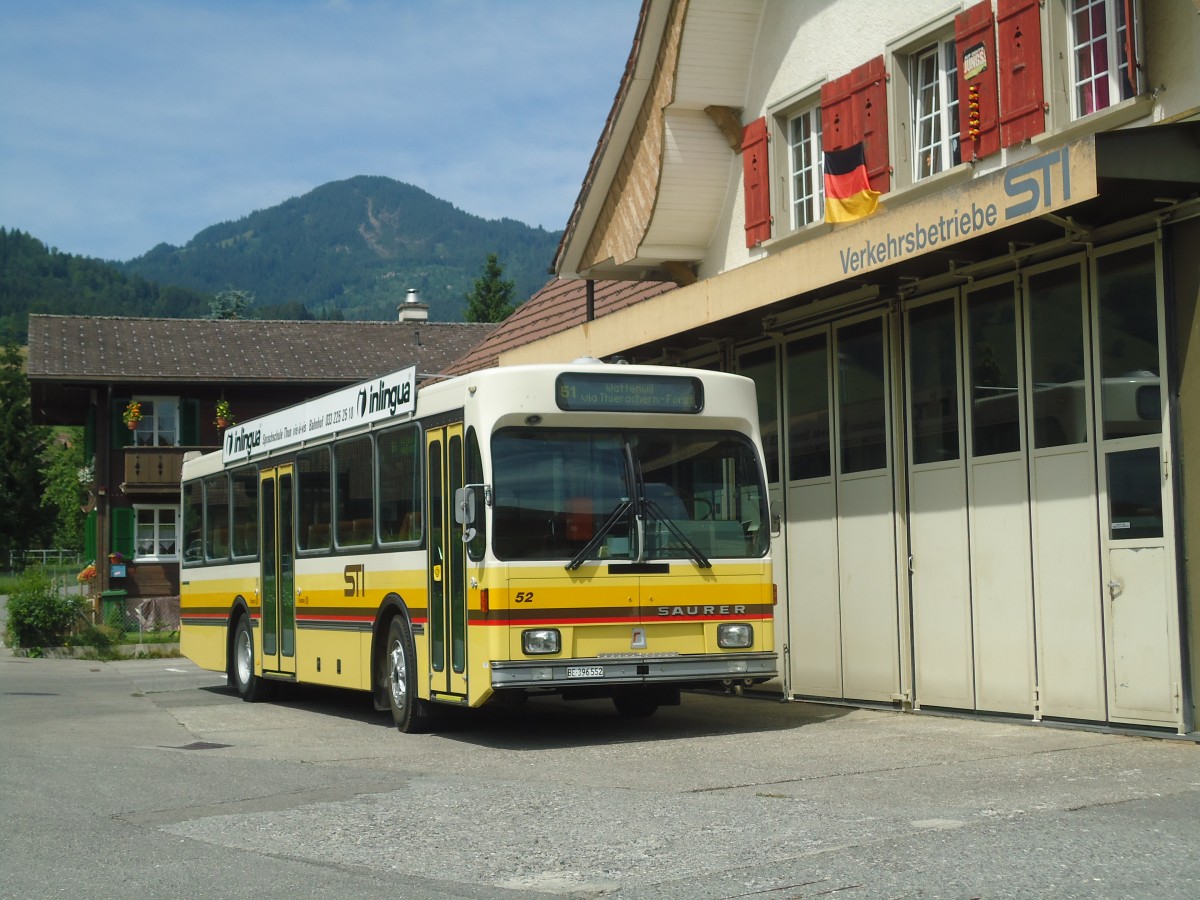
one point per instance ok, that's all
(740, 668)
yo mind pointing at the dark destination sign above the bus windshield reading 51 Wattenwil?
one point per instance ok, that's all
(616, 393)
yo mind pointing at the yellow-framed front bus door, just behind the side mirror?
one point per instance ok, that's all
(447, 566)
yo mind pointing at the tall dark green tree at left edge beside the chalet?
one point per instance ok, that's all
(22, 519)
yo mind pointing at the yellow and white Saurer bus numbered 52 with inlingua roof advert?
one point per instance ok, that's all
(595, 531)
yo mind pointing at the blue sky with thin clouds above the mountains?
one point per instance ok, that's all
(130, 123)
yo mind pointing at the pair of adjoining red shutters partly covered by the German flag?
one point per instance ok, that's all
(855, 109)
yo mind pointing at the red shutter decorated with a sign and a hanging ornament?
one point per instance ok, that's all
(975, 41)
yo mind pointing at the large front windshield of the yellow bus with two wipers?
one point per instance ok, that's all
(634, 496)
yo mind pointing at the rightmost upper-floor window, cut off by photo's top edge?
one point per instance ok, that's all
(1102, 47)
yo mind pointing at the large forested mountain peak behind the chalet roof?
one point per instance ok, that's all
(356, 248)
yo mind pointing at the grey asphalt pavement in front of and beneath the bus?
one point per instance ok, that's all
(149, 778)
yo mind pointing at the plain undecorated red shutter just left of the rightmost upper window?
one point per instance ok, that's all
(1022, 97)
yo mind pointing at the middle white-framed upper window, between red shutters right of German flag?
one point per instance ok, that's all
(934, 80)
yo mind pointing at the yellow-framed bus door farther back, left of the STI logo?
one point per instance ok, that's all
(278, 571)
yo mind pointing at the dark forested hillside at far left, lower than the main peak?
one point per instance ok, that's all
(38, 279)
